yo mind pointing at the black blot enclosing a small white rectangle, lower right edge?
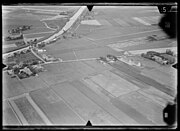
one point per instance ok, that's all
(169, 113)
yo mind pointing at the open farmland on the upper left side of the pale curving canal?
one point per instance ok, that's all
(41, 28)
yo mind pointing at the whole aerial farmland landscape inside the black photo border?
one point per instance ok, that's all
(112, 66)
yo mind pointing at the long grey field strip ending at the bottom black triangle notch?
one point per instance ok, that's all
(84, 106)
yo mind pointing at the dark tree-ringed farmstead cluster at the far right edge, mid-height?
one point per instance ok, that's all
(161, 58)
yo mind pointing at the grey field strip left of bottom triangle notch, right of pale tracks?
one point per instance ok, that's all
(58, 112)
